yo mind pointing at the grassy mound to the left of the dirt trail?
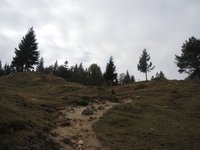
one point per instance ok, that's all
(29, 103)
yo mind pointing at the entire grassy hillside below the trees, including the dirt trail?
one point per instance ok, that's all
(148, 115)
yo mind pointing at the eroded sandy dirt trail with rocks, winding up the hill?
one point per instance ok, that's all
(74, 130)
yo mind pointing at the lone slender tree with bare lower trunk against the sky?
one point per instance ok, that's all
(143, 65)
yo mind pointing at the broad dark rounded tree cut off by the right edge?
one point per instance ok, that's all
(189, 61)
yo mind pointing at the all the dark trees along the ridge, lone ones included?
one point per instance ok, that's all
(27, 56)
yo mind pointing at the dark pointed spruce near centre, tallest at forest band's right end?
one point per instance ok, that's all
(110, 75)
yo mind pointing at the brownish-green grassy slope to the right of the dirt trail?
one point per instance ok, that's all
(163, 115)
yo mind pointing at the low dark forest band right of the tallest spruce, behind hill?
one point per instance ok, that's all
(89, 76)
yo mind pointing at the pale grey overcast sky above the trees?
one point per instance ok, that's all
(90, 31)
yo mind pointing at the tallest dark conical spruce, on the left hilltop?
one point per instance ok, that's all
(26, 56)
